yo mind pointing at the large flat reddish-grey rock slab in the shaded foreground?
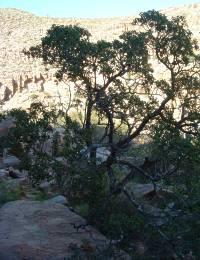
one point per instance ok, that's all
(41, 230)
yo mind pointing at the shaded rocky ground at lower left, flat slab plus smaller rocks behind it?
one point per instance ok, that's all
(39, 224)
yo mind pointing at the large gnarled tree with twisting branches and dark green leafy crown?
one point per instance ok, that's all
(117, 78)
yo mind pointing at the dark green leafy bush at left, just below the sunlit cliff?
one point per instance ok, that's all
(27, 138)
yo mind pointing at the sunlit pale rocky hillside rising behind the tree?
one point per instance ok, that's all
(23, 79)
